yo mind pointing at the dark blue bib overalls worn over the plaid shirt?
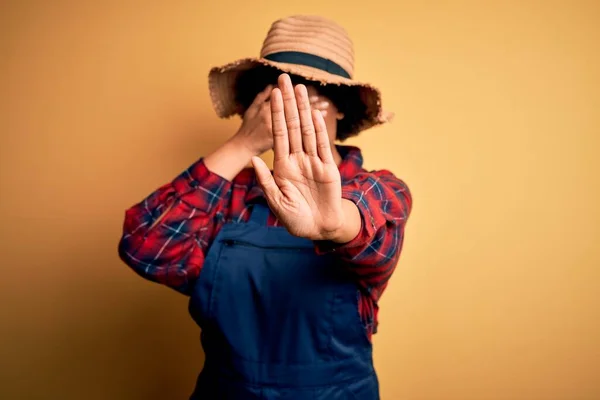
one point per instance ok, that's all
(278, 321)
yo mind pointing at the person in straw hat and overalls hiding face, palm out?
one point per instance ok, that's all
(284, 269)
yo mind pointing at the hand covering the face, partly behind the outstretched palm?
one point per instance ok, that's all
(255, 133)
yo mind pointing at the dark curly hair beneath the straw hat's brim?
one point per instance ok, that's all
(346, 98)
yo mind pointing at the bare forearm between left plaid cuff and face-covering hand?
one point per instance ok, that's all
(230, 158)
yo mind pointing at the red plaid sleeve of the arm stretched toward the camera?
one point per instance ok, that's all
(384, 203)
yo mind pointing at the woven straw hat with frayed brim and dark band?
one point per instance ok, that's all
(311, 47)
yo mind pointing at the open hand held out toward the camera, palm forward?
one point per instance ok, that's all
(305, 190)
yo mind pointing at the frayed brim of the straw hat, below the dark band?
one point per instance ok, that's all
(222, 82)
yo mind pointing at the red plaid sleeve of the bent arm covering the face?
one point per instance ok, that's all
(166, 236)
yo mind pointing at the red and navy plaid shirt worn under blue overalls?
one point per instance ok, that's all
(172, 251)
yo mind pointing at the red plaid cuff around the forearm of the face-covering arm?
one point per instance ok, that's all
(200, 187)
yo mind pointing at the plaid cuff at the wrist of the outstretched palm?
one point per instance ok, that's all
(366, 232)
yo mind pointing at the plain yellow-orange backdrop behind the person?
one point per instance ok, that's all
(497, 134)
